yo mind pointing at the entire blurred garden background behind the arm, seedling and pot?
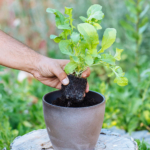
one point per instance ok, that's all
(127, 107)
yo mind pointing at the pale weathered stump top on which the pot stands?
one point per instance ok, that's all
(38, 140)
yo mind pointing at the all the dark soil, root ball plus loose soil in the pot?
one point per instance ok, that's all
(73, 94)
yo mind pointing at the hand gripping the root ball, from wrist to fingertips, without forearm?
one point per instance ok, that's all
(51, 72)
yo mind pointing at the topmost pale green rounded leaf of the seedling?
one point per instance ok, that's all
(95, 12)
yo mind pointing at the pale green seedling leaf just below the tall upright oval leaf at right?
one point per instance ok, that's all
(108, 59)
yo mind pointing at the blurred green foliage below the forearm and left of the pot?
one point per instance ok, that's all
(20, 107)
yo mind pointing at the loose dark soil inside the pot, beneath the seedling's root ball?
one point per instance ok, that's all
(87, 101)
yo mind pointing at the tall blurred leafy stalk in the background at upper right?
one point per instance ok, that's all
(135, 24)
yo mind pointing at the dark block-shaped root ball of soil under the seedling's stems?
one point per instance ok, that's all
(75, 89)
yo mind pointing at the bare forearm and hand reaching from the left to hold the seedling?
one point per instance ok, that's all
(49, 71)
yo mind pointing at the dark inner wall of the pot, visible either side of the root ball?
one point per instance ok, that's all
(50, 97)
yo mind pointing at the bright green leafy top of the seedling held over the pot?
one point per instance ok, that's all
(81, 46)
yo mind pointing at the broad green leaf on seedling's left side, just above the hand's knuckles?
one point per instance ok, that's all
(65, 47)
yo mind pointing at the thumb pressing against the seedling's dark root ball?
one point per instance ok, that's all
(61, 75)
